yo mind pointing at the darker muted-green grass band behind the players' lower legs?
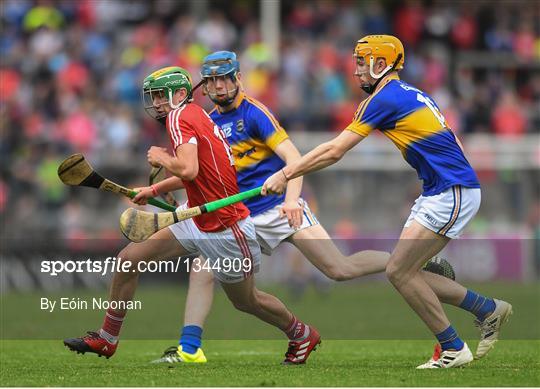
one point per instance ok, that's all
(359, 311)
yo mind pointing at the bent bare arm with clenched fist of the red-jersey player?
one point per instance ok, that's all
(185, 165)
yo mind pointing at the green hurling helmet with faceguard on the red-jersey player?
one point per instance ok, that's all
(164, 83)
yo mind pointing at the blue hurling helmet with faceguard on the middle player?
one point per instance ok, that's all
(221, 63)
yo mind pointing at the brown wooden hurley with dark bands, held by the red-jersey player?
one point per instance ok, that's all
(76, 171)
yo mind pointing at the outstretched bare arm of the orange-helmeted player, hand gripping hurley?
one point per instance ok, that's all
(320, 157)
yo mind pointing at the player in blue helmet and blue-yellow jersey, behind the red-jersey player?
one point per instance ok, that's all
(261, 147)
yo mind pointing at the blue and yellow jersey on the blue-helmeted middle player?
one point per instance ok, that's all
(253, 133)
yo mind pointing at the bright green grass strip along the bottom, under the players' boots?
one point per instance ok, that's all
(256, 363)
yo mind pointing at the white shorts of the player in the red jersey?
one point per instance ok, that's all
(232, 254)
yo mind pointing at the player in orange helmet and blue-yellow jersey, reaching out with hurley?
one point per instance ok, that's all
(450, 198)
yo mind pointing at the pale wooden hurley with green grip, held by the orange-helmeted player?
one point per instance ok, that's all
(138, 226)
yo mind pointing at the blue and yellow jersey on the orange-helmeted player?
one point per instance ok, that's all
(412, 120)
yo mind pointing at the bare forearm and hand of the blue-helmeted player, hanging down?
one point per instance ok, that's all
(291, 209)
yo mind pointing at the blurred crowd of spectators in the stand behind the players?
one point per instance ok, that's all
(71, 71)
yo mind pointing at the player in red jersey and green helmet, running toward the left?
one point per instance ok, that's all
(226, 239)
